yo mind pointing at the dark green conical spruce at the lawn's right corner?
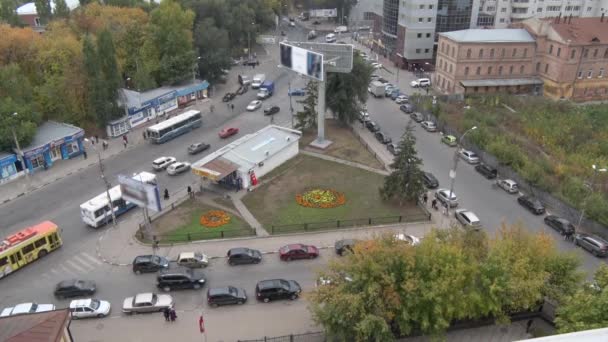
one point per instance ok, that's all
(405, 182)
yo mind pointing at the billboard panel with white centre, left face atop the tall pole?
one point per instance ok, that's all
(302, 61)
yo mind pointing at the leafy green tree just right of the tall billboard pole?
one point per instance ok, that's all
(345, 92)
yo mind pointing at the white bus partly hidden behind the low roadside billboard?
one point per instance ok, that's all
(96, 211)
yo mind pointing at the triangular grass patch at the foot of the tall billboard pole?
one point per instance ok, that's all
(345, 145)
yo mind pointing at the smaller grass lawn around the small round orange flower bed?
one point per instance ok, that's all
(182, 224)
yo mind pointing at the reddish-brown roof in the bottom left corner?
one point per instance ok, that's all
(36, 327)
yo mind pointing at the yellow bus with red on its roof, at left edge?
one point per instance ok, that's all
(27, 245)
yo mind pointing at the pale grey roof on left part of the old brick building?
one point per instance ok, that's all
(490, 36)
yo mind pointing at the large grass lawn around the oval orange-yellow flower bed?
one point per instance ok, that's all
(274, 203)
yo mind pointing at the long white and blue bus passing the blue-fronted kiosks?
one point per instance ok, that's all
(176, 126)
